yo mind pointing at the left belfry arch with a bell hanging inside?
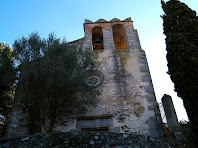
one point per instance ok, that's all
(97, 38)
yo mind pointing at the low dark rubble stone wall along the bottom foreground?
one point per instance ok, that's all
(87, 139)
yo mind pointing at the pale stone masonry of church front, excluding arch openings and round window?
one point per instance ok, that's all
(127, 90)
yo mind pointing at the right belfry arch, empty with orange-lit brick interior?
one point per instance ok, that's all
(119, 36)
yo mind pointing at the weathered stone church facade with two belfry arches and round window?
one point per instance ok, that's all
(127, 102)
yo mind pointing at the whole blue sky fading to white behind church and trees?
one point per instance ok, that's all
(66, 17)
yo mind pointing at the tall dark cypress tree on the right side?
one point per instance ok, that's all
(181, 30)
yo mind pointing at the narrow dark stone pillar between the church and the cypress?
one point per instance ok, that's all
(170, 113)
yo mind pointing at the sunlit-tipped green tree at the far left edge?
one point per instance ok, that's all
(7, 79)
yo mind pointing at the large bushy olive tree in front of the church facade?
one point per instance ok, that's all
(51, 83)
